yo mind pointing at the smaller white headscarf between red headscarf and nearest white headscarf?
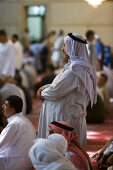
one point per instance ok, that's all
(60, 142)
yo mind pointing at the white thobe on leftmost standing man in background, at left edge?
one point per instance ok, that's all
(7, 59)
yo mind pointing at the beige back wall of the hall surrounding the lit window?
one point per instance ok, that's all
(69, 15)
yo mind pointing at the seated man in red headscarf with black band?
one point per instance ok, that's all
(75, 152)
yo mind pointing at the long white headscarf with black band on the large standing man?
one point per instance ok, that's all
(81, 65)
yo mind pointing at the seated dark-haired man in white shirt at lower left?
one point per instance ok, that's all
(16, 138)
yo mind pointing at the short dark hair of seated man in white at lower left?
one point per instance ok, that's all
(15, 102)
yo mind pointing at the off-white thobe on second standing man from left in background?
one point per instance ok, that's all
(19, 54)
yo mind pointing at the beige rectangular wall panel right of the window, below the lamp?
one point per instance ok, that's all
(81, 13)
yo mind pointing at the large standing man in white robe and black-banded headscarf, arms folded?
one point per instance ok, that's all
(66, 99)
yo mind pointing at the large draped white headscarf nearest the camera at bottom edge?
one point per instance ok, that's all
(45, 156)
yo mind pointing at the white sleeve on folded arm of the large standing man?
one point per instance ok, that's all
(61, 88)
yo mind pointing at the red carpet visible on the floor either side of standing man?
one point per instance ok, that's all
(97, 134)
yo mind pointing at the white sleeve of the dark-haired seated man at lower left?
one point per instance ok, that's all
(8, 136)
